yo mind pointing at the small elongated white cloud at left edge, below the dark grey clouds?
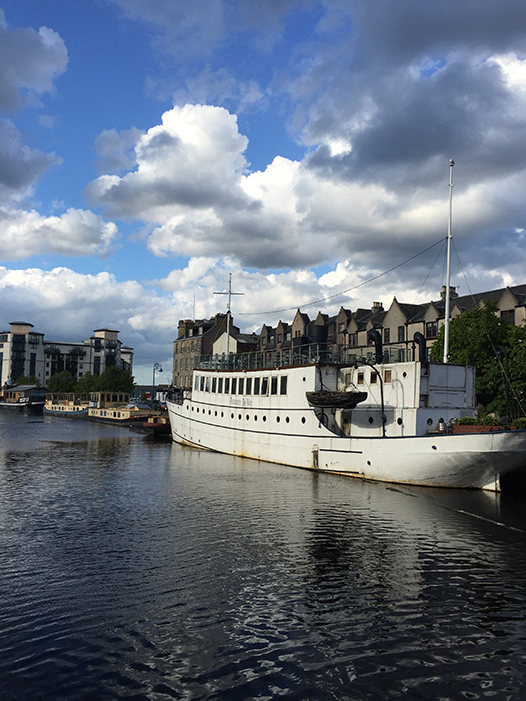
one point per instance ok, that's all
(77, 232)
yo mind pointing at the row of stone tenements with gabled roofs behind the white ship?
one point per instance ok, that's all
(347, 333)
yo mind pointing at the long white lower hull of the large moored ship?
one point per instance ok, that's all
(441, 460)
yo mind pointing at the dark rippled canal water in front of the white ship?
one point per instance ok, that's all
(131, 569)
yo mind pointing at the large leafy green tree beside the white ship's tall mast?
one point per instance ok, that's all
(481, 338)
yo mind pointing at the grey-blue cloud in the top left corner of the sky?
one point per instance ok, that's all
(30, 61)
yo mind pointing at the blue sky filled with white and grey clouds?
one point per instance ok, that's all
(151, 148)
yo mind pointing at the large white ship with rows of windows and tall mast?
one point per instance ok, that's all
(391, 422)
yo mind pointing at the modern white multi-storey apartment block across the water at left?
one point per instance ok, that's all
(26, 352)
